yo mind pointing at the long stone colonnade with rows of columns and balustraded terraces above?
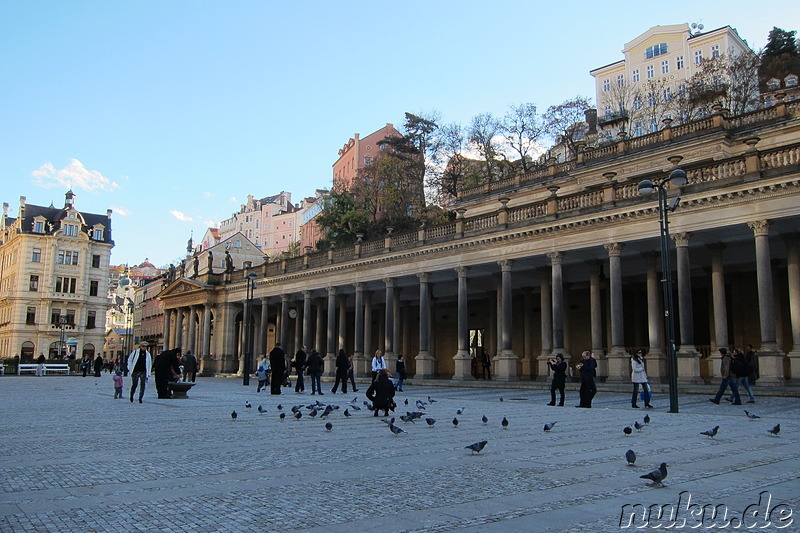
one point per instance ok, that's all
(556, 261)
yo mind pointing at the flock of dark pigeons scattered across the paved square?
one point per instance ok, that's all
(323, 410)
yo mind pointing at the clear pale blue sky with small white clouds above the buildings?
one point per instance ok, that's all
(171, 112)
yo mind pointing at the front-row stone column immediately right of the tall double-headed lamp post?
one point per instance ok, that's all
(688, 356)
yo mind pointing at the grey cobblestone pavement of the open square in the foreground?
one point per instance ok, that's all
(76, 460)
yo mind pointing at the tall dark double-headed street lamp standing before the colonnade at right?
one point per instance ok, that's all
(678, 178)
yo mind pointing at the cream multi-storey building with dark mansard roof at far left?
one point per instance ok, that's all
(54, 281)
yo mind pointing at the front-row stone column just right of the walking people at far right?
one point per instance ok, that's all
(770, 358)
